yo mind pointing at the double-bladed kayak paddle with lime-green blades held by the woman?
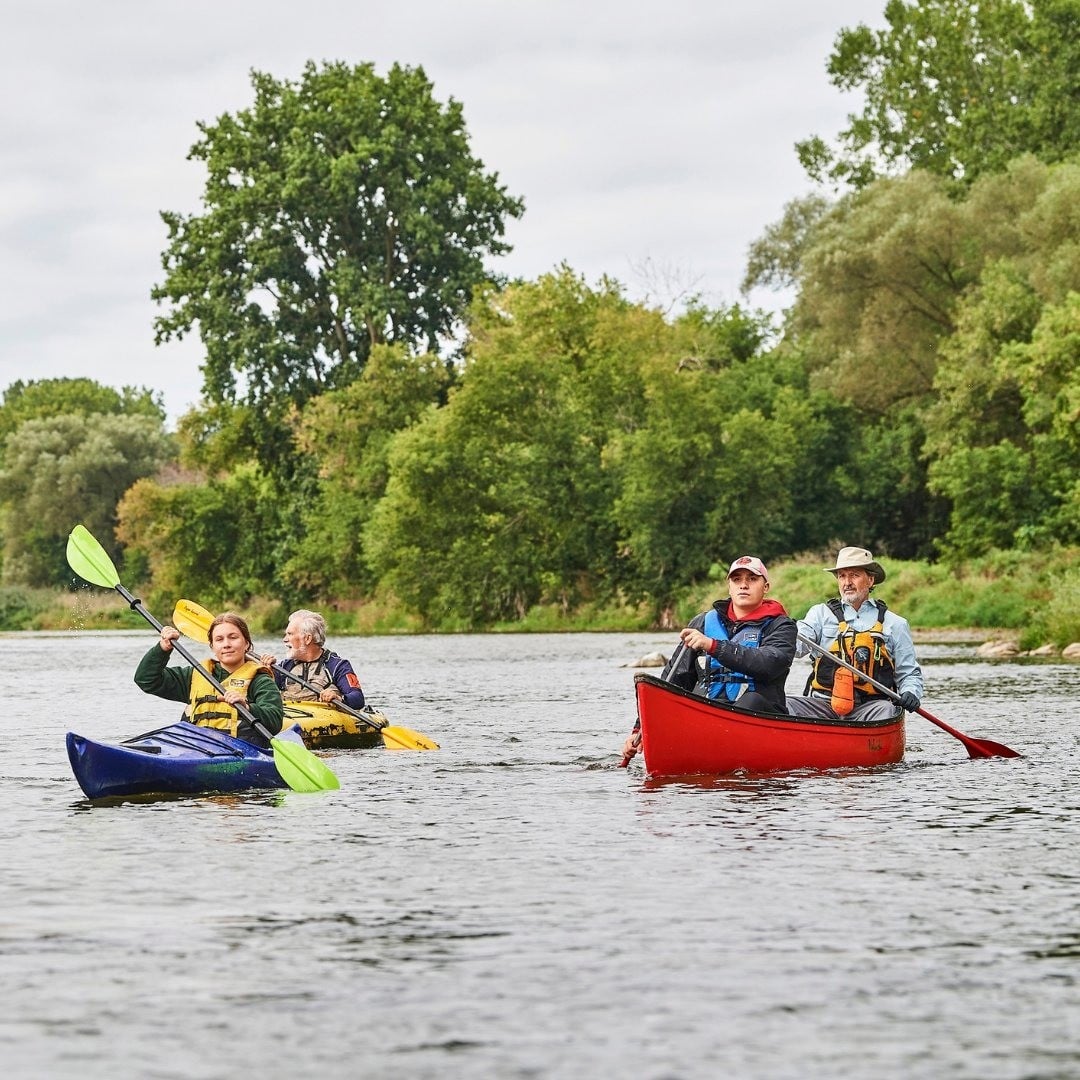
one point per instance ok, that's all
(299, 767)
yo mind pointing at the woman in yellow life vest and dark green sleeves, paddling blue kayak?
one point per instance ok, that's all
(247, 682)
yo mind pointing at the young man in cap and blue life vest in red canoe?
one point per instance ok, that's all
(739, 652)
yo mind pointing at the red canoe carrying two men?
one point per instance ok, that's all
(685, 735)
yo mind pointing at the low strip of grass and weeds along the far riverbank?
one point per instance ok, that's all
(1031, 601)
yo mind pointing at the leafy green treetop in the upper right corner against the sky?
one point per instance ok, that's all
(957, 88)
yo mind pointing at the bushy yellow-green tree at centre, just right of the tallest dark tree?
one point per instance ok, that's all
(501, 501)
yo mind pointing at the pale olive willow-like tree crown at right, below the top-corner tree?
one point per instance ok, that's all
(881, 276)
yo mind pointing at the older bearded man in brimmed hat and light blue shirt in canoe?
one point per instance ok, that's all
(867, 634)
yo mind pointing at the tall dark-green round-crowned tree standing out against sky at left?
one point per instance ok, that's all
(341, 212)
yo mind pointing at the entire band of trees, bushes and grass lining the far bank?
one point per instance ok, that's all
(395, 435)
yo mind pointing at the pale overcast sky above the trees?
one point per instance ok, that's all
(652, 141)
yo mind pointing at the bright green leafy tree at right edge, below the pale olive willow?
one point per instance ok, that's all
(1004, 436)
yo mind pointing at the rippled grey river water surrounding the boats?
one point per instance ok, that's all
(516, 906)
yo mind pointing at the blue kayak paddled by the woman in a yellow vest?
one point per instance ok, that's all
(181, 759)
